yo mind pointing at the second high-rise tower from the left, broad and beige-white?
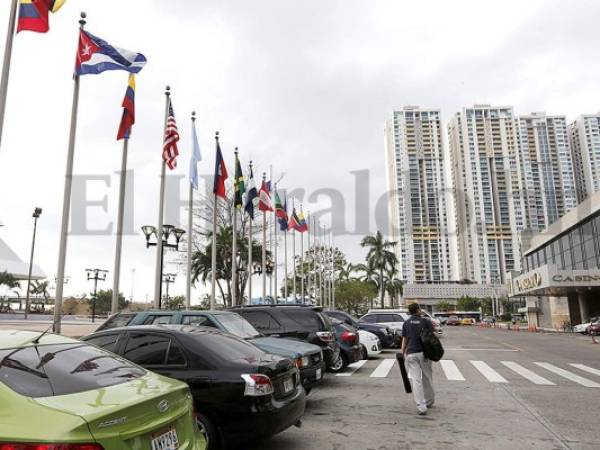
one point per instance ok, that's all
(484, 146)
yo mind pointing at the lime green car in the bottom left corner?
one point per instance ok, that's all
(58, 393)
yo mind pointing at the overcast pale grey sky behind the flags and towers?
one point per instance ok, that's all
(302, 85)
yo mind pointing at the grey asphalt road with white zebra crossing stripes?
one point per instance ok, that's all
(492, 404)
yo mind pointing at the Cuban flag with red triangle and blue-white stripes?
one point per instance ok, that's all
(95, 56)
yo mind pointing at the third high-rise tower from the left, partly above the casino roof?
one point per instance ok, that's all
(547, 169)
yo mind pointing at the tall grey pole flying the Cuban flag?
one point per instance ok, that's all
(64, 228)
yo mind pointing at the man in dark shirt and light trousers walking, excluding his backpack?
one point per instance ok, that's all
(419, 368)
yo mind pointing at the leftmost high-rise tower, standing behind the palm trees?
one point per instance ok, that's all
(419, 186)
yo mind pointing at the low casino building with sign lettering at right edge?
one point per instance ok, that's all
(560, 276)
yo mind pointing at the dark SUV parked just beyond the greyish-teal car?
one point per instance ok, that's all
(307, 323)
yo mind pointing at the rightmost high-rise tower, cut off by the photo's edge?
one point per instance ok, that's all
(584, 135)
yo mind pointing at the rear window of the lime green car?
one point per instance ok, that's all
(51, 370)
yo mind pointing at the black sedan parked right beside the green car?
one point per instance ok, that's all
(240, 392)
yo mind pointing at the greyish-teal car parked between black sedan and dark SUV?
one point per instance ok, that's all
(307, 357)
